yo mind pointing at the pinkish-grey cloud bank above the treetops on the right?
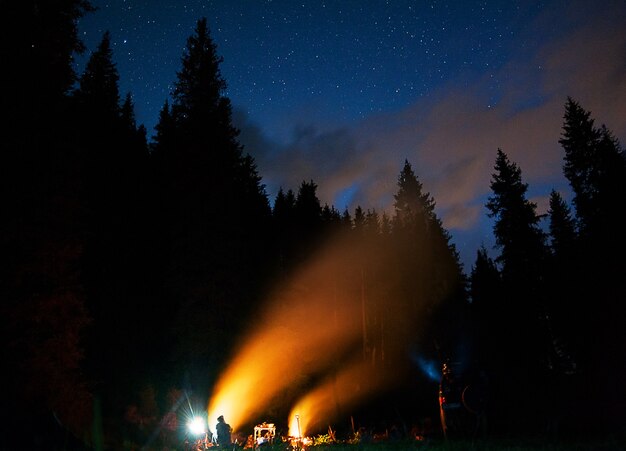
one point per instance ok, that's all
(451, 137)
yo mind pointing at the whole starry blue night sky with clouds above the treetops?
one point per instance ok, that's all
(342, 92)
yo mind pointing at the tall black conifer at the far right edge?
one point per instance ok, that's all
(595, 167)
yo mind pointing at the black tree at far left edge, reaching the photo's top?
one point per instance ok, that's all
(43, 315)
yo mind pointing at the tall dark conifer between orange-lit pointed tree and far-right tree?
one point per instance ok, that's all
(522, 258)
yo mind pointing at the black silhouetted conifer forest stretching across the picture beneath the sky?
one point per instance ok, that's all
(133, 267)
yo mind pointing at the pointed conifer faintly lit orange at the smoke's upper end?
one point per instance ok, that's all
(432, 282)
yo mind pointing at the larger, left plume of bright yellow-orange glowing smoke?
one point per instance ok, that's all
(293, 339)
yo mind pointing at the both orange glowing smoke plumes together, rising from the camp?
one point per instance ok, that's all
(340, 308)
